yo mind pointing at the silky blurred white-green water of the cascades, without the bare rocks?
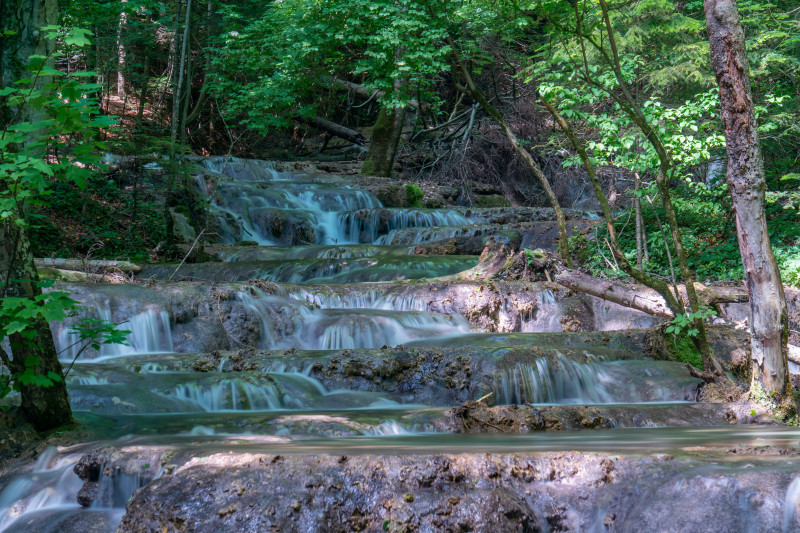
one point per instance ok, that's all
(320, 234)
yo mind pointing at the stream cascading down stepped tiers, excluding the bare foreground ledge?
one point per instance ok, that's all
(346, 345)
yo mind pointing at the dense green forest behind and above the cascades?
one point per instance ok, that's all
(256, 79)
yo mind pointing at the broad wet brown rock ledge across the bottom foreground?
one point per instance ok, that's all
(478, 492)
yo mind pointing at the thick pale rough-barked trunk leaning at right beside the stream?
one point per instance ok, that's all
(769, 319)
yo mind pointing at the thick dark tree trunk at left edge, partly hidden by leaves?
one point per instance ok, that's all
(44, 407)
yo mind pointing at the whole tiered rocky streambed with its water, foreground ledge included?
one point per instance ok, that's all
(337, 364)
